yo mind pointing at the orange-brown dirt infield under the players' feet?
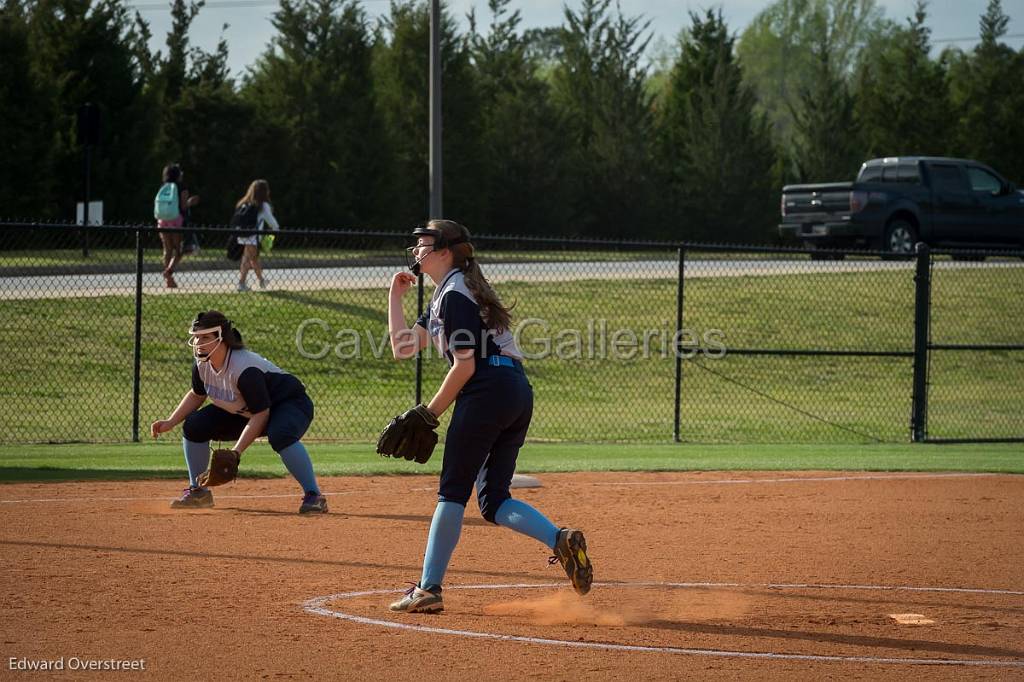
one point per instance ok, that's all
(764, 576)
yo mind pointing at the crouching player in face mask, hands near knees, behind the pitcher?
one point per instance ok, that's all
(251, 398)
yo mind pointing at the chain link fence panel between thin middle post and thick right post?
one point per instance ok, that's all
(819, 351)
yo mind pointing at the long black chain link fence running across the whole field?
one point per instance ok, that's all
(624, 342)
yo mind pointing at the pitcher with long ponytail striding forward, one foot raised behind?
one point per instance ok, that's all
(494, 404)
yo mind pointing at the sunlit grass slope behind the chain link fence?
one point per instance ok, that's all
(70, 362)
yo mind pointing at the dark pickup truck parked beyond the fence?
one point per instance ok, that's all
(899, 201)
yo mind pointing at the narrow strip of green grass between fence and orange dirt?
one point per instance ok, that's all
(164, 460)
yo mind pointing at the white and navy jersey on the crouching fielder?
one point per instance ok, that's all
(248, 383)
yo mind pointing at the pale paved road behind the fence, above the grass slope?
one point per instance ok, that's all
(318, 279)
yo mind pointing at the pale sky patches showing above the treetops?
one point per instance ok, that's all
(249, 28)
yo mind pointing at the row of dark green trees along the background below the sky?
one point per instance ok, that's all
(569, 131)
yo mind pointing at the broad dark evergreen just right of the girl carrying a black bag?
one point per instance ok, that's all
(313, 90)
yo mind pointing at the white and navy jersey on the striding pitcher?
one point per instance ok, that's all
(454, 321)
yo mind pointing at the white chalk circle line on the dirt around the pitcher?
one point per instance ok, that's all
(318, 606)
